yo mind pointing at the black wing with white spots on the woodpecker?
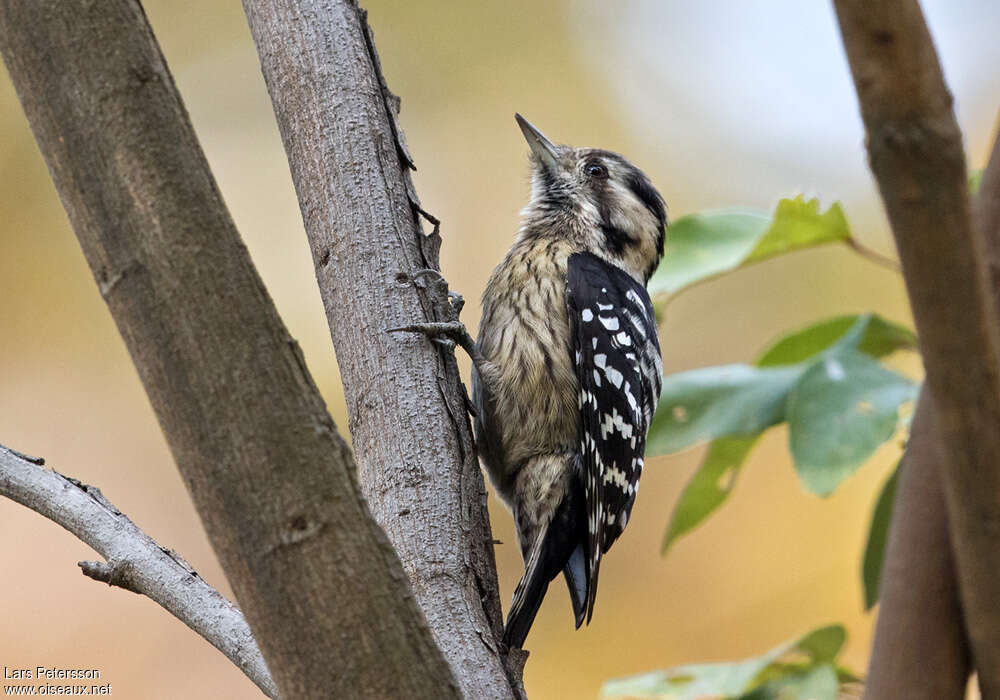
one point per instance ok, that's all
(618, 364)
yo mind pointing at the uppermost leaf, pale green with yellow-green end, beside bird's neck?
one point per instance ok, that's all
(707, 244)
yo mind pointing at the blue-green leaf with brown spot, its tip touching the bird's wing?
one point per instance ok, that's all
(707, 403)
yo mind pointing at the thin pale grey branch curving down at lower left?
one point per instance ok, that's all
(134, 561)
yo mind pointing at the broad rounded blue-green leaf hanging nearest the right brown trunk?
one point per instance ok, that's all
(838, 414)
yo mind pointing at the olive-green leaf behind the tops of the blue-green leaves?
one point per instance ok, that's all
(879, 338)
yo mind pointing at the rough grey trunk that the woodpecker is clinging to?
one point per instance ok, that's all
(407, 408)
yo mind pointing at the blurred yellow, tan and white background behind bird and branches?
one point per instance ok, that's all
(721, 103)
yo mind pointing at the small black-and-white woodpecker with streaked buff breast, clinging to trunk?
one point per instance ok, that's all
(566, 369)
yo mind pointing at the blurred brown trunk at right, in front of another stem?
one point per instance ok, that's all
(915, 149)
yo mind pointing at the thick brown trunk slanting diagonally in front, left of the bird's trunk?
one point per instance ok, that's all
(273, 482)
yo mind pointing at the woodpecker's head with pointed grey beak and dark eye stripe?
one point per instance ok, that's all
(597, 198)
